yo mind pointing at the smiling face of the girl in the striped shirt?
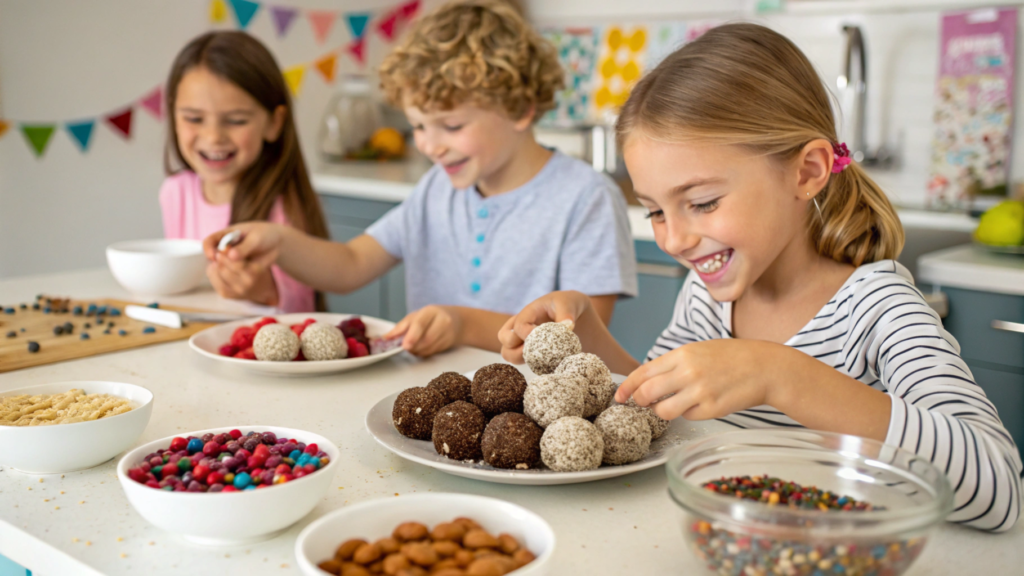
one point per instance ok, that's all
(724, 213)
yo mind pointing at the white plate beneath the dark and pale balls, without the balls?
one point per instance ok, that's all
(379, 425)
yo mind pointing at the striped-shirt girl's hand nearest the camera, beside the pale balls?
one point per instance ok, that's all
(705, 381)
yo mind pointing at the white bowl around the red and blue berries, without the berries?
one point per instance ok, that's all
(234, 518)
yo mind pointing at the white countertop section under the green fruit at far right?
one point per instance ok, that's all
(975, 269)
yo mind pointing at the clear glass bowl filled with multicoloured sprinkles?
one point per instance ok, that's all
(805, 503)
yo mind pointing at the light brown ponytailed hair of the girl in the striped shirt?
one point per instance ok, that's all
(744, 85)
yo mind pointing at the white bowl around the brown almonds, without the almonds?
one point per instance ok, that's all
(377, 519)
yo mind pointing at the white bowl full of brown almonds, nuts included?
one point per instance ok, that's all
(421, 534)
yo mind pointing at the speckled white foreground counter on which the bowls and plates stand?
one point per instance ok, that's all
(613, 527)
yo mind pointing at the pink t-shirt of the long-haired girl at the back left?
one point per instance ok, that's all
(188, 215)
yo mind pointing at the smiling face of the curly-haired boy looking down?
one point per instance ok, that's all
(474, 145)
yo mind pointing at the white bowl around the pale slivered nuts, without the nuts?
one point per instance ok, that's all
(66, 448)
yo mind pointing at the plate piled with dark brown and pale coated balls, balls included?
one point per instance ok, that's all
(560, 425)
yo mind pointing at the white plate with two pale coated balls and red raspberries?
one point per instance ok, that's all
(300, 344)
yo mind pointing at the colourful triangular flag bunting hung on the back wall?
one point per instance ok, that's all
(388, 23)
